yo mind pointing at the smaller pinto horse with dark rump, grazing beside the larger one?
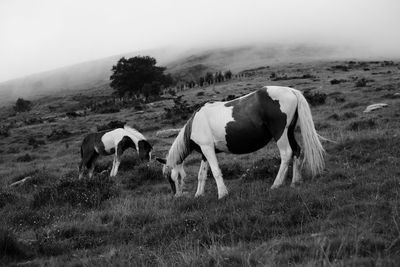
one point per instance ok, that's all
(112, 142)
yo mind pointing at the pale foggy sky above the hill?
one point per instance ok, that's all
(40, 35)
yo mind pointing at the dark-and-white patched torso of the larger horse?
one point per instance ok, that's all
(247, 123)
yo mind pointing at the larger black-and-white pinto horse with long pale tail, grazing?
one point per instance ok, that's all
(244, 125)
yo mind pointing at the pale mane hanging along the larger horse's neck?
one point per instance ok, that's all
(180, 148)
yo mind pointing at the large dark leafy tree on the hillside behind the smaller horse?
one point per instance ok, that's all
(130, 75)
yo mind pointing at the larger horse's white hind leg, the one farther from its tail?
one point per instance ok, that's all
(286, 155)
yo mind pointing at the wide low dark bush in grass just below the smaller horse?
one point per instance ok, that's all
(87, 193)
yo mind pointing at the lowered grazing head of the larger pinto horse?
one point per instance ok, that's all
(172, 175)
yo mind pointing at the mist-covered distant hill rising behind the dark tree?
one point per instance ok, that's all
(186, 65)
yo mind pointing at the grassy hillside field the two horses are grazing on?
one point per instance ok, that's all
(349, 215)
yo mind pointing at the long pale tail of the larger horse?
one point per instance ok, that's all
(313, 150)
